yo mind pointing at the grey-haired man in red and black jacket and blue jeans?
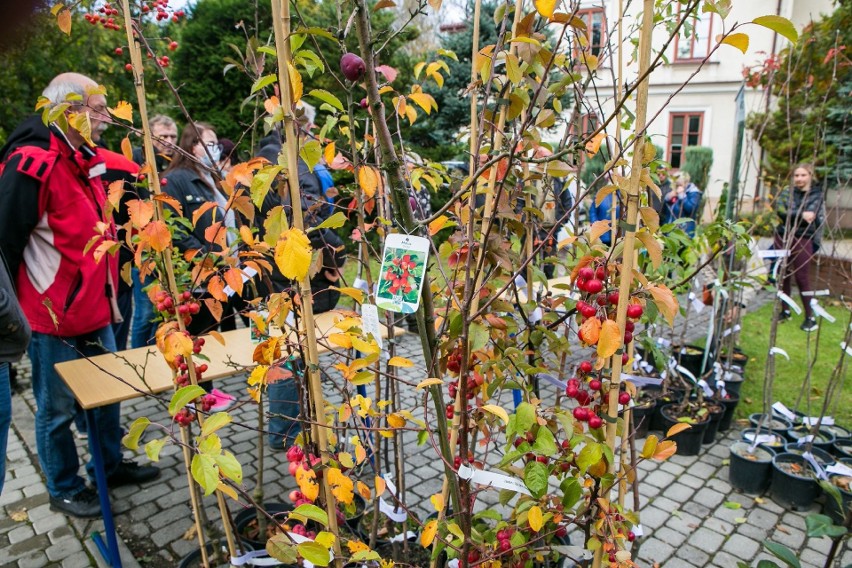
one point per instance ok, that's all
(51, 199)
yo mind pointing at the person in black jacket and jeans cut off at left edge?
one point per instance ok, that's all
(14, 340)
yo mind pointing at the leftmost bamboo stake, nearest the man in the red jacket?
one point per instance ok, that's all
(154, 185)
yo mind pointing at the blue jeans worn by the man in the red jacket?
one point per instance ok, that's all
(56, 409)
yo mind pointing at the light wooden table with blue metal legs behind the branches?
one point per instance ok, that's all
(107, 379)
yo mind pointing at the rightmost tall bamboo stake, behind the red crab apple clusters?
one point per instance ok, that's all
(630, 230)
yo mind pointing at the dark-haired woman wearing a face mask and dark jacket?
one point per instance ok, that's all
(189, 180)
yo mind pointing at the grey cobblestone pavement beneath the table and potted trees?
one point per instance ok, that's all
(683, 501)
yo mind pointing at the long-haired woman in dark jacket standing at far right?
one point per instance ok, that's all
(801, 210)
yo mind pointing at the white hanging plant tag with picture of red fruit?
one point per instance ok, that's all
(404, 263)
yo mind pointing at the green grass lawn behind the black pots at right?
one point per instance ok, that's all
(790, 375)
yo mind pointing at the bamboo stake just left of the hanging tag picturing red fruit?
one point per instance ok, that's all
(281, 25)
